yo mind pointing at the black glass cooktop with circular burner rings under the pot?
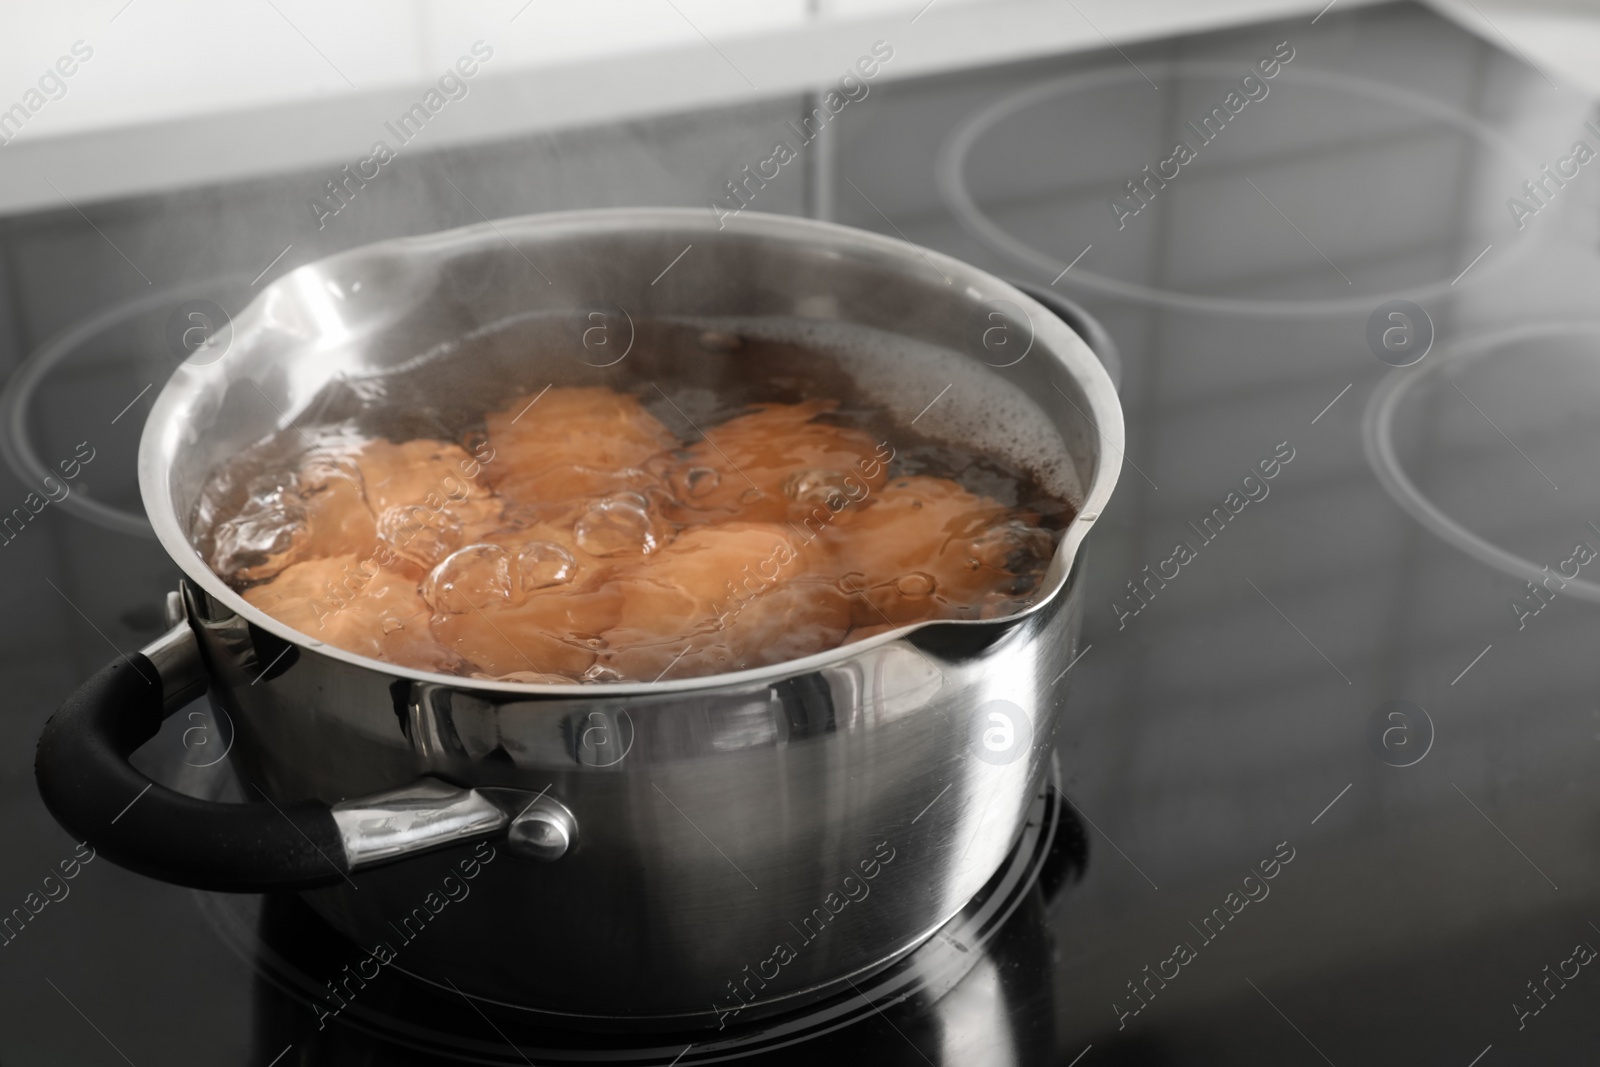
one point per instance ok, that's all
(1329, 786)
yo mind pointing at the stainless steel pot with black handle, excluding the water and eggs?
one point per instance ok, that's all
(674, 853)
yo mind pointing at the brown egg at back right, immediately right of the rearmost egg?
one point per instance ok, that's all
(775, 465)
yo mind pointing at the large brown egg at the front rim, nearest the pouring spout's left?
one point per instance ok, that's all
(719, 599)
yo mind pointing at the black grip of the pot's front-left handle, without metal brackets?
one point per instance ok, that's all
(97, 796)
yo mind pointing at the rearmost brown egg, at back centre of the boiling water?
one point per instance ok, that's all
(570, 444)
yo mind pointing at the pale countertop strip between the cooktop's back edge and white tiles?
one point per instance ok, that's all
(334, 130)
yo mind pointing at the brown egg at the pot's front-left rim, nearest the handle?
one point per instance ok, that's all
(356, 605)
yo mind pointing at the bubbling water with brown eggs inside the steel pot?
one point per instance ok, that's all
(727, 495)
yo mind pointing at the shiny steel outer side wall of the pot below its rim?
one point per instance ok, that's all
(740, 849)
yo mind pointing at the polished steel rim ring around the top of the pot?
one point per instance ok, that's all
(1060, 343)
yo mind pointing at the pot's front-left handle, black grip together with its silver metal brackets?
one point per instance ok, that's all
(102, 799)
